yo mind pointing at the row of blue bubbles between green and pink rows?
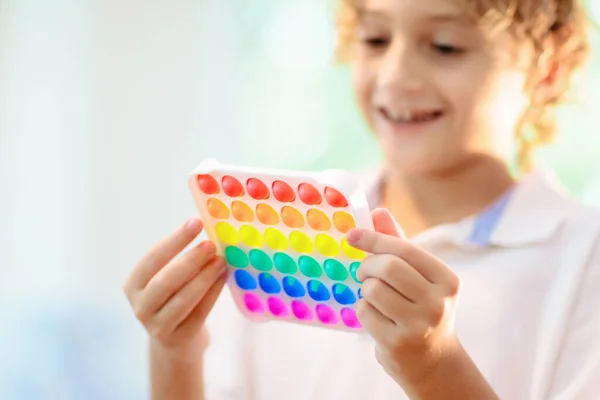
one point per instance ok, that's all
(291, 286)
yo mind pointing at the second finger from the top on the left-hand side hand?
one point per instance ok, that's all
(174, 276)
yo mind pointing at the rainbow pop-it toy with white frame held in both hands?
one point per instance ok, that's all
(283, 236)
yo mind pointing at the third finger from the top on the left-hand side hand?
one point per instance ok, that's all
(179, 307)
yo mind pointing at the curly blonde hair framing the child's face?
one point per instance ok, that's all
(557, 31)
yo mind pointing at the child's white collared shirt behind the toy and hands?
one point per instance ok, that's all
(528, 314)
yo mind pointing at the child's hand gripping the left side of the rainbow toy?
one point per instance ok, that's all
(173, 296)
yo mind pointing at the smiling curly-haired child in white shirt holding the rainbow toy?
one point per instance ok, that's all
(446, 87)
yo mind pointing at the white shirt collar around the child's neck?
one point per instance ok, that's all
(536, 209)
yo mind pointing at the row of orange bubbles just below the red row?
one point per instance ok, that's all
(290, 216)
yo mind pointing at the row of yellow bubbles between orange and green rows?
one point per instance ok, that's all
(277, 240)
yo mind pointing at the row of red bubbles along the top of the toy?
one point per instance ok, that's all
(281, 190)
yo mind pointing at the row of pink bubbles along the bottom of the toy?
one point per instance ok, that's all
(302, 311)
